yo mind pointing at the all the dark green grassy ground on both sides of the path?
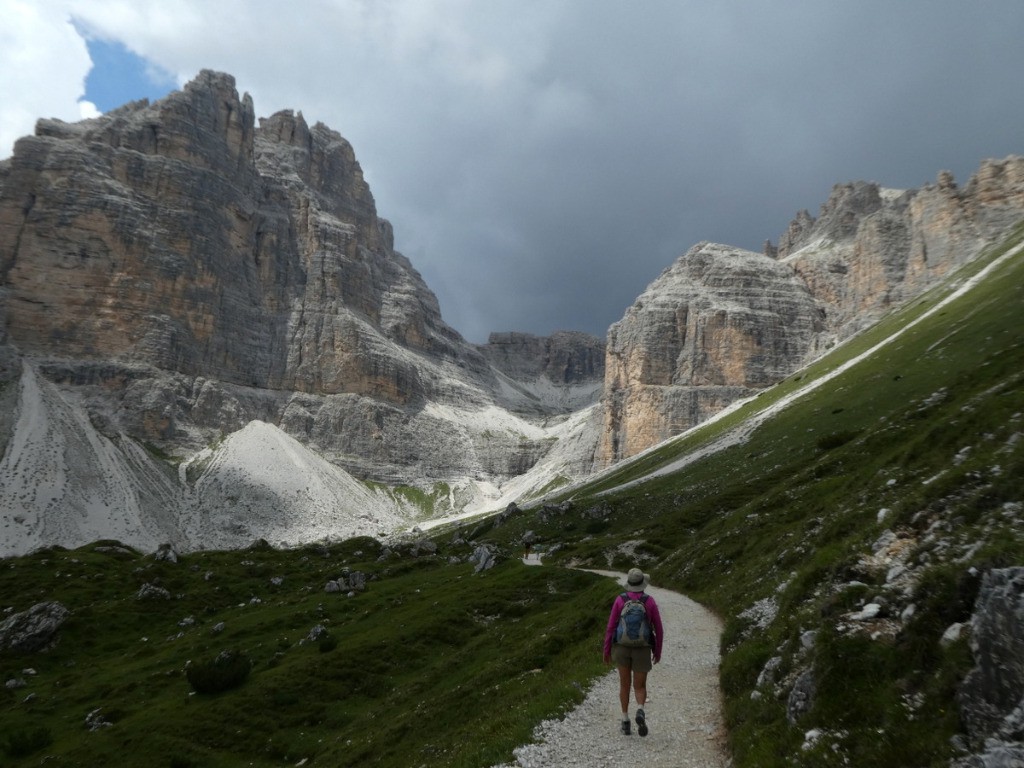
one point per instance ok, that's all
(437, 666)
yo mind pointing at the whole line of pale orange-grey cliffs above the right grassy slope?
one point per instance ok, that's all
(717, 325)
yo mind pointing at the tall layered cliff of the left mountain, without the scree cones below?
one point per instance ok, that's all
(182, 270)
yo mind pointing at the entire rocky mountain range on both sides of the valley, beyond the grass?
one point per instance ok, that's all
(181, 271)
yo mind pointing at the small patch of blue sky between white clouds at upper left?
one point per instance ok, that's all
(118, 76)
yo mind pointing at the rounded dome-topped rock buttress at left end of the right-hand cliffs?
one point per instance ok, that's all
(716, 326)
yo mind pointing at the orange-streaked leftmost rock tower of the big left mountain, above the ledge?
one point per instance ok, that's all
(126, 238)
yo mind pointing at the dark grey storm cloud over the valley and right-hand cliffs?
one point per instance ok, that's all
(689, 124)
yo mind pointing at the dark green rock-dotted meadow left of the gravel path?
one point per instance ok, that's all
(432, 665)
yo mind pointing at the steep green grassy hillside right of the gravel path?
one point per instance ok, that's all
(924, 439)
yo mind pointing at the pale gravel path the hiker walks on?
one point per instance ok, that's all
(684, 709)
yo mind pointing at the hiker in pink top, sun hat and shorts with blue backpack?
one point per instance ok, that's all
(633, 642)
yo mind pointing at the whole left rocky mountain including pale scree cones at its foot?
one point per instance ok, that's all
(173, 273)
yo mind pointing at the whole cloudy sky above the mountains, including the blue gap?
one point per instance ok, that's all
(543, 161)
